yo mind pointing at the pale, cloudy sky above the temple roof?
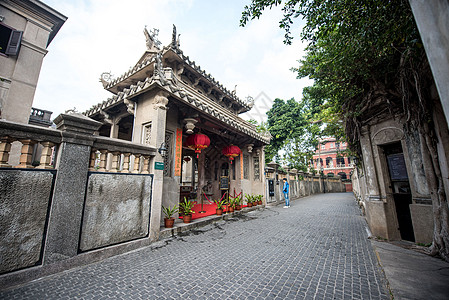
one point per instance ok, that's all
(107, 36)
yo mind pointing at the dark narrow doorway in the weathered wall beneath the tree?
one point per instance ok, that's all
(400, 187)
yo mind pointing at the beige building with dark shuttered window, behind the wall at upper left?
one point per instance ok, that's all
(26, 30)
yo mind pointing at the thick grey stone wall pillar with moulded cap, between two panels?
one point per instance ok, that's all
(68, 197)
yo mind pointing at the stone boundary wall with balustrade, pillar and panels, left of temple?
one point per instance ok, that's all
(74, 207)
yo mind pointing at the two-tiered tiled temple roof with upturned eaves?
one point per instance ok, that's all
(150, 73)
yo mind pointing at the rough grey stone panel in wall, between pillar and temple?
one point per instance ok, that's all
(117, 209)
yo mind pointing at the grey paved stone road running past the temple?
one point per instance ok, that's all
(317, 249)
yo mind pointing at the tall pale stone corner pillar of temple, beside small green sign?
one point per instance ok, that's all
(159, 120)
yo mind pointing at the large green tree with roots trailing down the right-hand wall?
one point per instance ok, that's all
(366, 59)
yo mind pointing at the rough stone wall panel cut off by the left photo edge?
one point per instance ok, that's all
(24, 199)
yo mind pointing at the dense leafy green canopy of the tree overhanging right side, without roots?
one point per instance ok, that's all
(358, 52)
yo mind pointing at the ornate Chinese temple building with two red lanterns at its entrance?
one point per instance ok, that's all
(168, 102)
